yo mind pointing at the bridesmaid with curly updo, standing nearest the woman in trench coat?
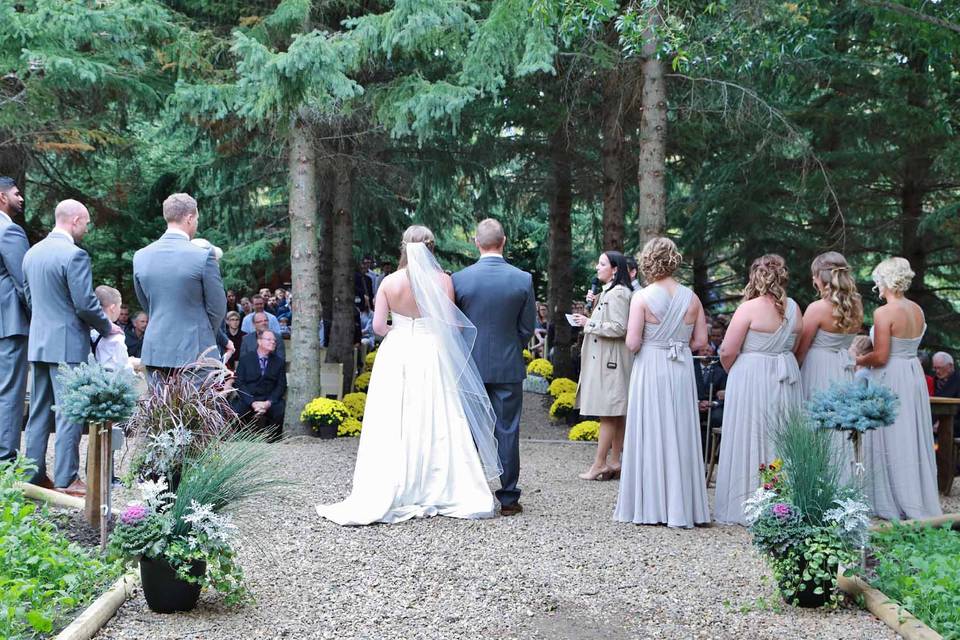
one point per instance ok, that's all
(663, 479)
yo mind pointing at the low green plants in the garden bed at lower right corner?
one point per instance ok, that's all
(919, 567)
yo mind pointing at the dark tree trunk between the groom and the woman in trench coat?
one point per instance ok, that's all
(560, 268)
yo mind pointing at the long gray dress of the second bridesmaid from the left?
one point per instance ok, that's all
(763, 386)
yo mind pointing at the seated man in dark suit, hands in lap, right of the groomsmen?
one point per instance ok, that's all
(261, 383)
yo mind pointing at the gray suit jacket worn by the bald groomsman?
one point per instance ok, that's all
(59, 289)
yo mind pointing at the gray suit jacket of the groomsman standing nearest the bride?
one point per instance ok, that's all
(179, 287)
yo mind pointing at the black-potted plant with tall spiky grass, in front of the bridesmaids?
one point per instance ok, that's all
(801, 517)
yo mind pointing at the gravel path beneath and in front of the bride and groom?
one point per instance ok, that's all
(561, 570)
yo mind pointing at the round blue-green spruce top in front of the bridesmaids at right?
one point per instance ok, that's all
(855, 406)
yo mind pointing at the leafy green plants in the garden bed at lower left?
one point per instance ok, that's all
(44, 578)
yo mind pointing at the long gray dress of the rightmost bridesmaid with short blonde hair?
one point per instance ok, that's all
(901, 470)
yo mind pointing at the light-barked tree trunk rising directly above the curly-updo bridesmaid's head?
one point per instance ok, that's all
(652, 218)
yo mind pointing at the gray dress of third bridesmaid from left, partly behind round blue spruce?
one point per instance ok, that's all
(829, 362)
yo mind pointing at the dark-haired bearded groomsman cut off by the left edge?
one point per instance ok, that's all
(14, 320)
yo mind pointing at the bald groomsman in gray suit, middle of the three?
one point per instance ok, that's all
(59, 289)
